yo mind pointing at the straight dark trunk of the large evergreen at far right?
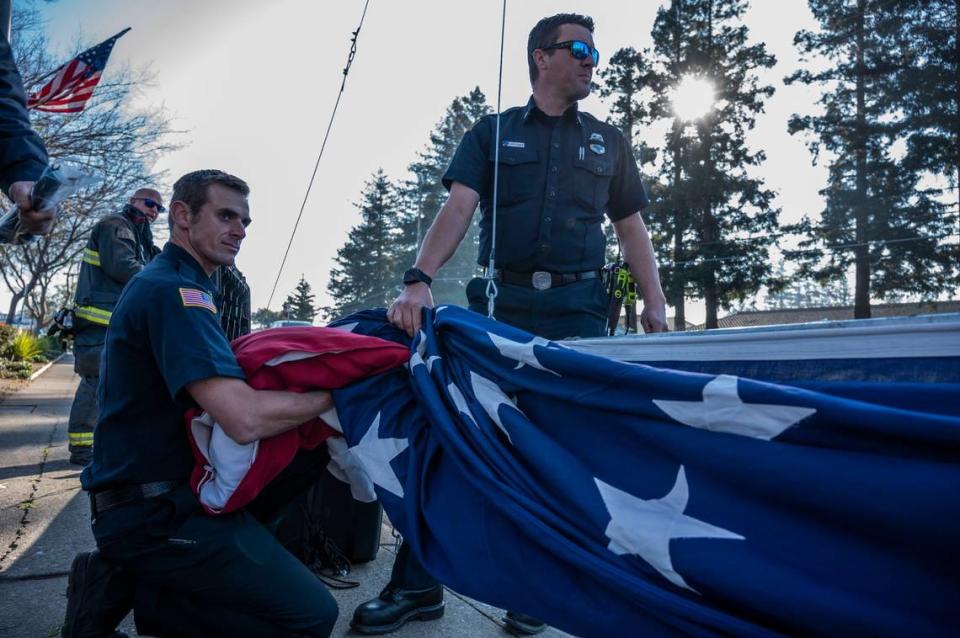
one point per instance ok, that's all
(861, 303)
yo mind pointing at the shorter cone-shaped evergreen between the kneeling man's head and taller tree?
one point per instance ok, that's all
(366, 272)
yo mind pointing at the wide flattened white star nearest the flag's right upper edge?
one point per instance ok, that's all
(722, 411)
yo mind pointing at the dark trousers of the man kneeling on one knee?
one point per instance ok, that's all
(227, 575)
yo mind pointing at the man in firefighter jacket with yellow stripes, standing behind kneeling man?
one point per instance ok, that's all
(120, 245)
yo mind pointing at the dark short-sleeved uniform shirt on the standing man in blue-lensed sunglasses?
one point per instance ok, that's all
(557, 179)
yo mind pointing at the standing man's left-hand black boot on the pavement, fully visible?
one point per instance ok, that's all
(394, 607)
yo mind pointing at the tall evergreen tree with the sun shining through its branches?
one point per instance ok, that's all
(713, 228)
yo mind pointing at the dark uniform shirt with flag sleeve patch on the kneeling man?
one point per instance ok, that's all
(164, 334)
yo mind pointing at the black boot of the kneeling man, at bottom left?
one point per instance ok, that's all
(99, 596)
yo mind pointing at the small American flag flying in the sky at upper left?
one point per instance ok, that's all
(73, 83)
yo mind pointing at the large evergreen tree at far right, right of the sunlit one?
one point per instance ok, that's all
(876, 219)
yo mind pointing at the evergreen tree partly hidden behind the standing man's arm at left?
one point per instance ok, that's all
(424, 195)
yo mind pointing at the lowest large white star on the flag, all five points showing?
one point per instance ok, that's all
(646, 527)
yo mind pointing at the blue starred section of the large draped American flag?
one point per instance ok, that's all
(619, 499)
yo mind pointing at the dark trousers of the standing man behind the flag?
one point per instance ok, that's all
(575, 310)
